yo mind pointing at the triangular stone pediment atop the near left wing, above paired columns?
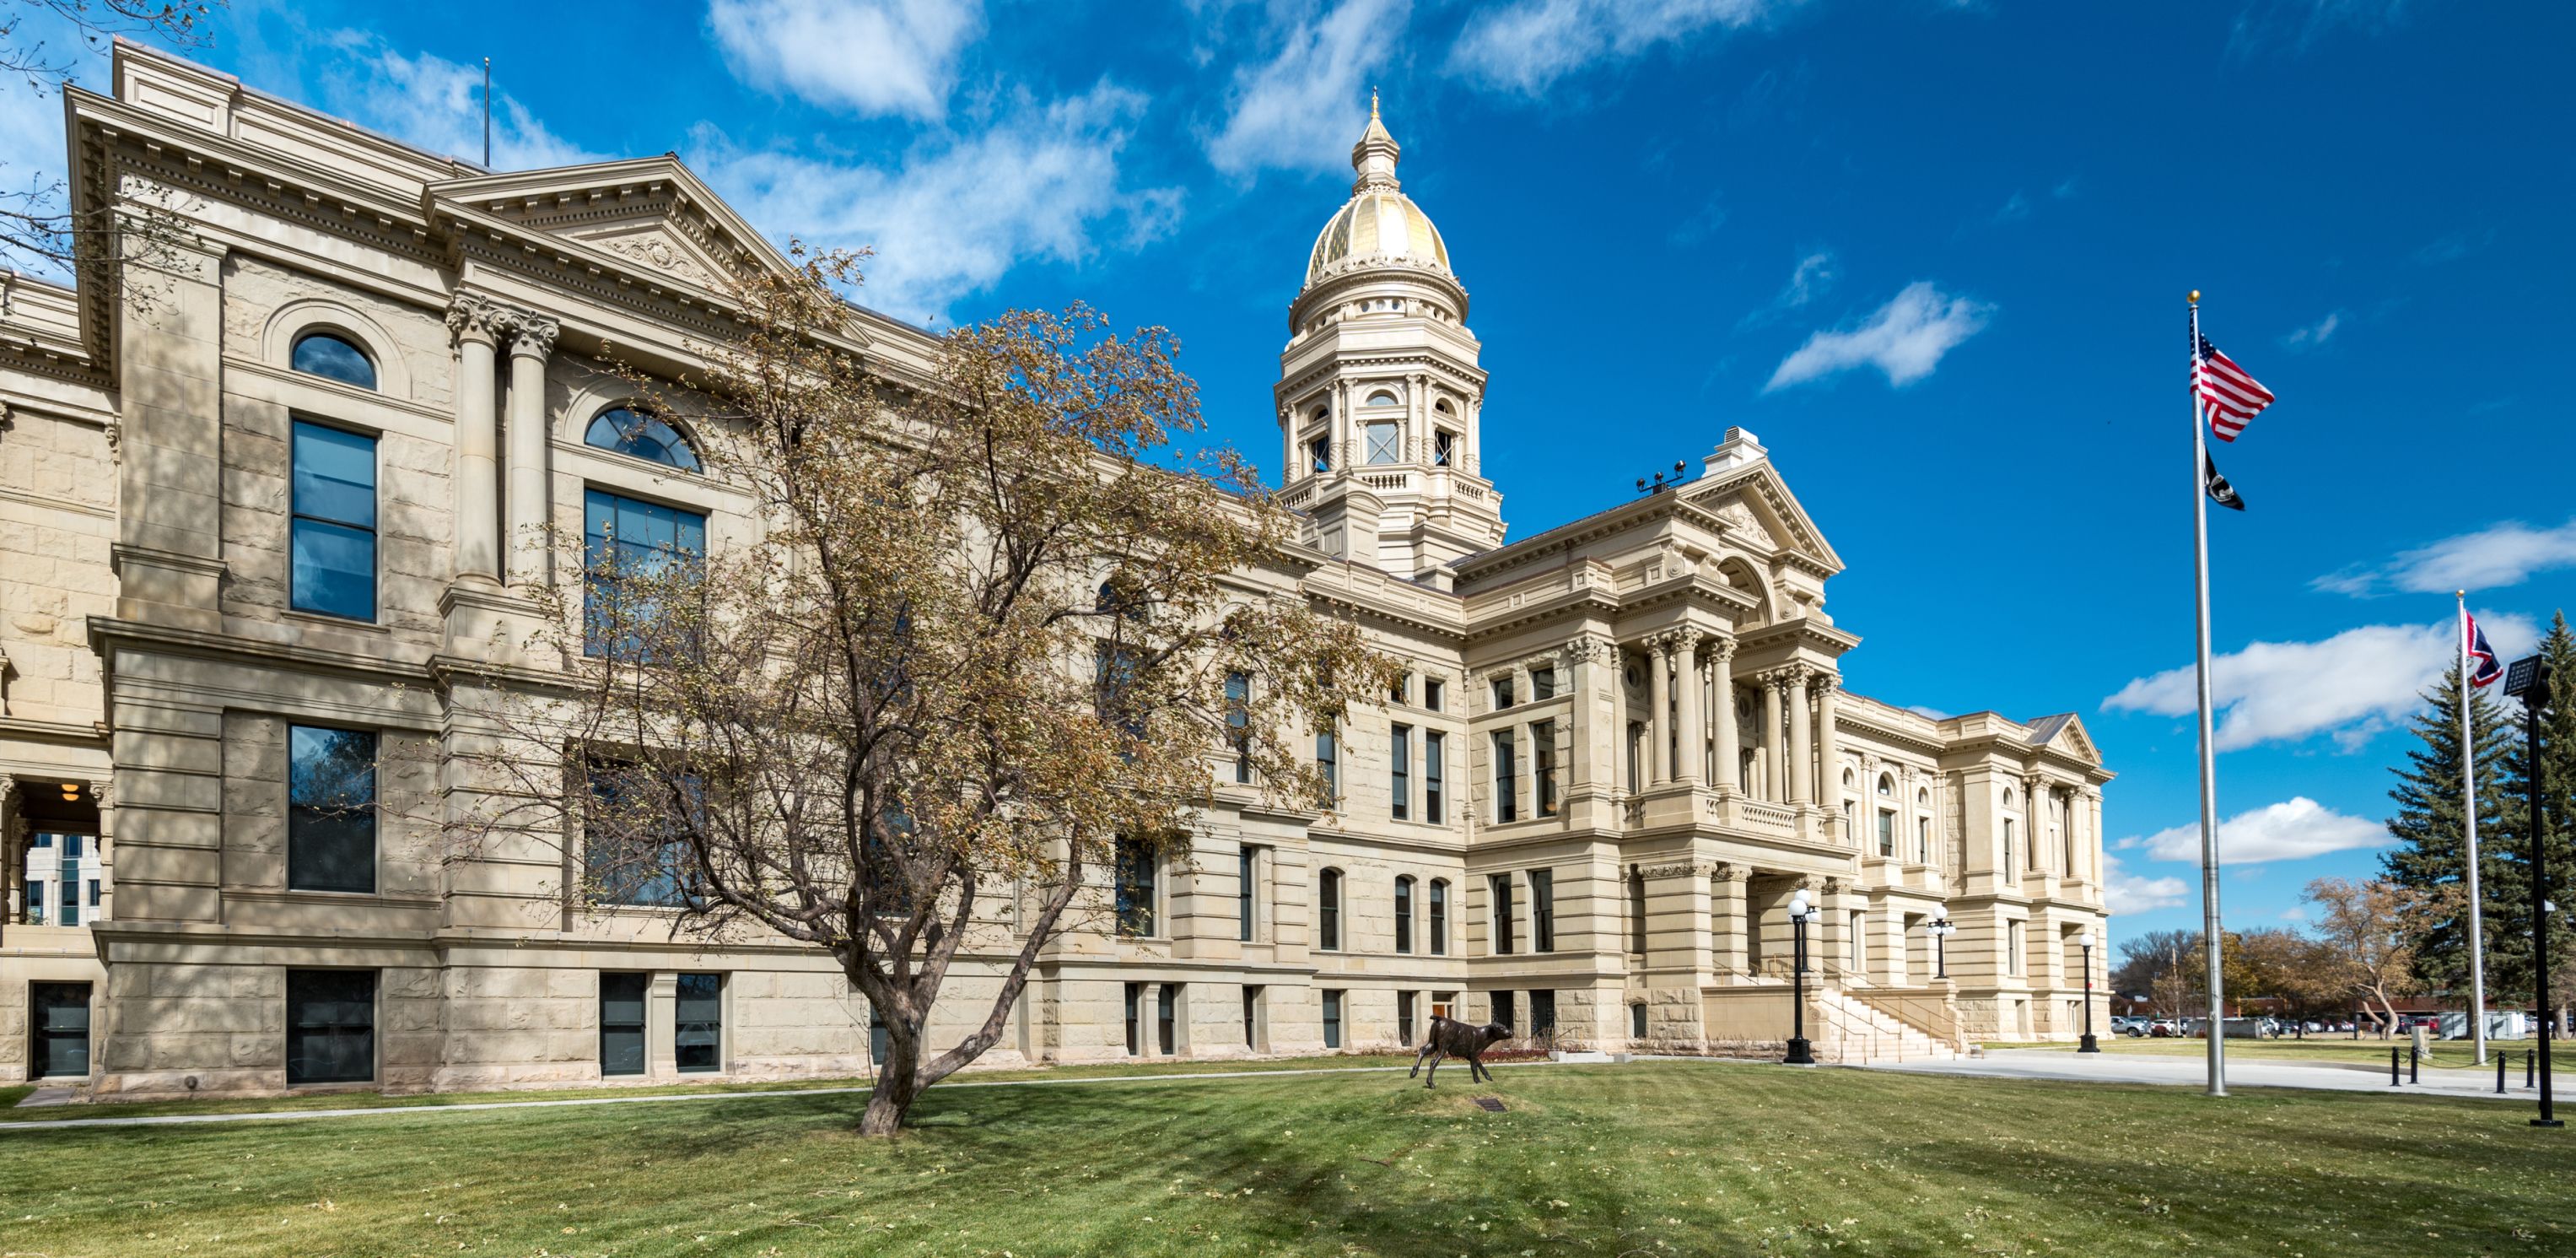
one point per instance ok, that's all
(648, 213)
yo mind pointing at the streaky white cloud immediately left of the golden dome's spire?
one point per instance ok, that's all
(1294, 112)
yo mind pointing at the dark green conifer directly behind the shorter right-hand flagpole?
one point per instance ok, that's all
(2430, 855)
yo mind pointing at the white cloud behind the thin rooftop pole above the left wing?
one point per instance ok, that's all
(434, 104)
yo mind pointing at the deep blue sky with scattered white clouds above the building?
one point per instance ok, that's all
(1933, 254)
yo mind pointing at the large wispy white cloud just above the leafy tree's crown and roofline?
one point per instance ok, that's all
(952, 220)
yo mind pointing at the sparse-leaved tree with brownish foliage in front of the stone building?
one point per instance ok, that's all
(990, 643)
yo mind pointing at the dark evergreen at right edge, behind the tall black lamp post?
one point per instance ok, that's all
(2508, 927)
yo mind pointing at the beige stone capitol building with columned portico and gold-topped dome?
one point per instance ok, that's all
(256, 530)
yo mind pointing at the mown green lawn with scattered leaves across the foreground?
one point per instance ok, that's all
(1663, 1159)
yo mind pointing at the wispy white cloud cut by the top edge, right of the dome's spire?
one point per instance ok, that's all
(1529, 45)
